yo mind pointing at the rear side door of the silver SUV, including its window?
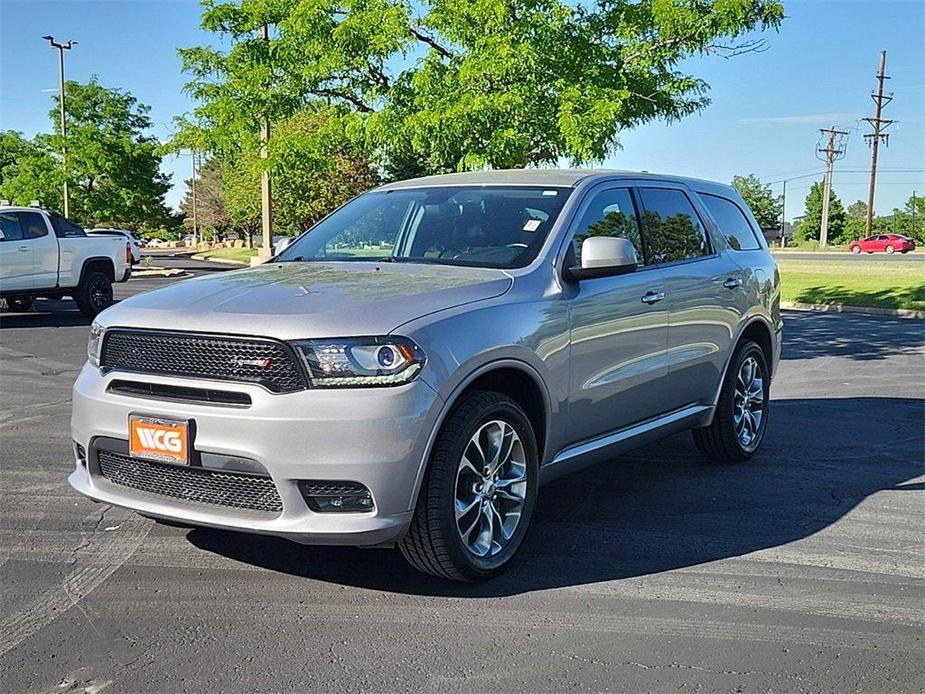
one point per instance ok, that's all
(706, 299)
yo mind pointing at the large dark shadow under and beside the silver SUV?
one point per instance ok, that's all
(659, 508)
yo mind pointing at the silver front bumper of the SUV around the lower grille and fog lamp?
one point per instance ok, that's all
(376, 436)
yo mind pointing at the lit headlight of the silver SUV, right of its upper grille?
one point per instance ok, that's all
(361, 362)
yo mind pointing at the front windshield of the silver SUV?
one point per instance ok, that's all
(482, 226)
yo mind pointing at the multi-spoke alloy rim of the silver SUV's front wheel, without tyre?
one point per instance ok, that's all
(491, 487)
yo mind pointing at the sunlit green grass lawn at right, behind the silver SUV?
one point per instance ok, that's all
(853, 283)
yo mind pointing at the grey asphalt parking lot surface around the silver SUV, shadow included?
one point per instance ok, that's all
(801, 570)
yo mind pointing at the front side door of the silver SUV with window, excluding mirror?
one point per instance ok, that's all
(619, 328)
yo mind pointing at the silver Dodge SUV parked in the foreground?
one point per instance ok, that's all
(411, 369)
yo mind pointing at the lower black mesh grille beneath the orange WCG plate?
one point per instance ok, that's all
(199, 485)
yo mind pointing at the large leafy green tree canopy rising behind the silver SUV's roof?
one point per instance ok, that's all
(443, 85)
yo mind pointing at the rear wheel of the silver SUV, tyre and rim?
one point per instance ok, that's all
(741, 417)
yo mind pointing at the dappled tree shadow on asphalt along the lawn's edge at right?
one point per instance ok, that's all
(808, 335)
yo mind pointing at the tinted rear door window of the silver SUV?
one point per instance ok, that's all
(673, 230)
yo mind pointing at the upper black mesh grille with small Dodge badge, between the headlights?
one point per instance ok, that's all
(246, 360)
